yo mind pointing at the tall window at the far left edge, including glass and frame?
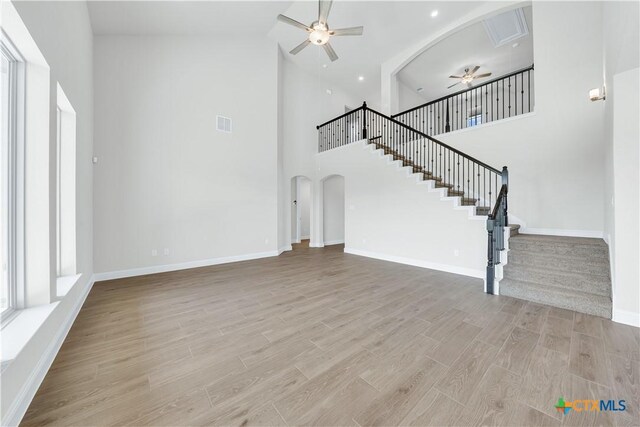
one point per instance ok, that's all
(9, 175)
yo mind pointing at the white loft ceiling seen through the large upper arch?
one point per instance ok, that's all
(468, 47)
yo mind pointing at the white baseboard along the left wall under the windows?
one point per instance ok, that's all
(28, 391)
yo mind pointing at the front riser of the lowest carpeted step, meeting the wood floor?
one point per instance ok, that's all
(576, 303)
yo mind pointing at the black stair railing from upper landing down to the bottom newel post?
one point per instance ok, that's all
(478, 184)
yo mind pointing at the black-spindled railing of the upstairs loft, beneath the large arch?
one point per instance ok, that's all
(507, 96)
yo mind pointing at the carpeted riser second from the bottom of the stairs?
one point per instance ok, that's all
(580, 283)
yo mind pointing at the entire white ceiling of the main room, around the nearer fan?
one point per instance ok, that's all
(388, 27)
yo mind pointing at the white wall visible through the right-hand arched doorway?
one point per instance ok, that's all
(333, 210)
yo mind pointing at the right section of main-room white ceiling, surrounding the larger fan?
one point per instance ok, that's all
(388, 27)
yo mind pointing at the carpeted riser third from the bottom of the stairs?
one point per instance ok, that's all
(574, 265)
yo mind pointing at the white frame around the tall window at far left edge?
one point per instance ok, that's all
(14, 180)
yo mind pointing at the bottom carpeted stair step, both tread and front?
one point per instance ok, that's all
(583, 302)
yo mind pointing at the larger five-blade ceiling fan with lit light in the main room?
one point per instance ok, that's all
(319, 32)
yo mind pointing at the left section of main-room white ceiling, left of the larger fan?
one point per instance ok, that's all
(184, 17)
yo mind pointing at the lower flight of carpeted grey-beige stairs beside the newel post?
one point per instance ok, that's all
(564, 272)
